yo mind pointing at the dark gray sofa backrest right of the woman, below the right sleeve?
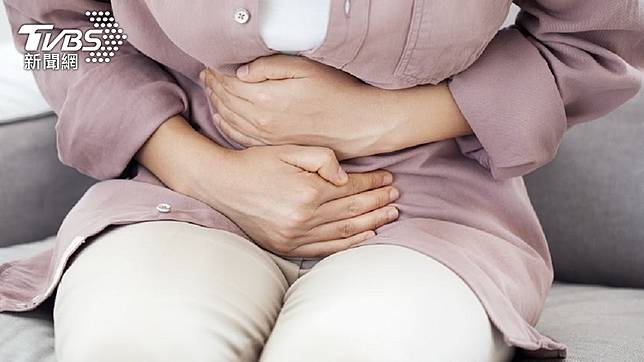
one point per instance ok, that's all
(590, 200)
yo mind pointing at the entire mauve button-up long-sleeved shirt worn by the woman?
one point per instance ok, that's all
(466, 212)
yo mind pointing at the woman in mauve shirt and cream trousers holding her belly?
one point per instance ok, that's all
(380, 213)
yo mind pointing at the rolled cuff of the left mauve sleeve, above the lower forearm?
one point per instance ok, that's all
(122, 105)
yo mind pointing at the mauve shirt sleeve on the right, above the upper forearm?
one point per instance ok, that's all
(562, 63)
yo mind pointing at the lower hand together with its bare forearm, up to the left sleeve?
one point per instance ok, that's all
(292, 200)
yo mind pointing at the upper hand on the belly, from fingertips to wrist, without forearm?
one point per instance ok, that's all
(283, 99)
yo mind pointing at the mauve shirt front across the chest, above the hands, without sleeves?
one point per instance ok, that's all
(390, 46)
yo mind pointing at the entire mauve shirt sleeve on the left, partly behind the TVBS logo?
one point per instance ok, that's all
(106, 111)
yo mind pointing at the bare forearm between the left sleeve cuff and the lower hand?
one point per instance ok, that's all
(177, 155)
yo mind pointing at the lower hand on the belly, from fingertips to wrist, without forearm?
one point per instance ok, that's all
(295, 201)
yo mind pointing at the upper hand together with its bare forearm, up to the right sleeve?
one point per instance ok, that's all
(284, 99)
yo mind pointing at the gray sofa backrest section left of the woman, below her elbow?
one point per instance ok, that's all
(36, 190)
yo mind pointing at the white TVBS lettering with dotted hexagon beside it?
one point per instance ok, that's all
(101, 41)
